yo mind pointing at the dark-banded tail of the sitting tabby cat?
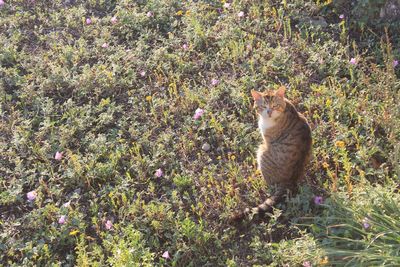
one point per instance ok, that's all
(265, 207)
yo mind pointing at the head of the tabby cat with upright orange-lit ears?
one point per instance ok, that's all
(270, 104)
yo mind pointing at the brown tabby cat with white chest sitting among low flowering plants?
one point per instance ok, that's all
(286, 148)
